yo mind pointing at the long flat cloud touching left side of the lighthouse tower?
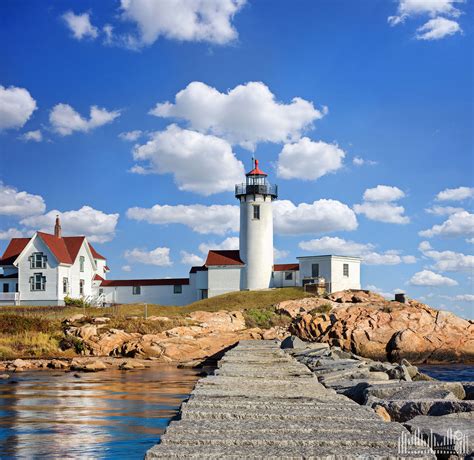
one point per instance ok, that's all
(218, 219)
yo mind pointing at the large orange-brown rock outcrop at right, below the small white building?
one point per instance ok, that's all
(390, 331)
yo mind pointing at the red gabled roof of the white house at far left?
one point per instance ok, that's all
(64, 249)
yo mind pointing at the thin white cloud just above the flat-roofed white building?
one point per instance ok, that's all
(339, 246)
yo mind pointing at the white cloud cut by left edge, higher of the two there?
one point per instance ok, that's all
(16, 107)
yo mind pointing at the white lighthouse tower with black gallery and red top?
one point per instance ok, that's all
(256, 229)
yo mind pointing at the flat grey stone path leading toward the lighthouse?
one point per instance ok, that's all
(262, 403)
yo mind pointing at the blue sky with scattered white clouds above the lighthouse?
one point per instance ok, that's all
(134, 119)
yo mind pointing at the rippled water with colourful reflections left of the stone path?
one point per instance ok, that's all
(110, 414)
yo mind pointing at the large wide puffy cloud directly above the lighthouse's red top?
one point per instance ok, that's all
(245, 115)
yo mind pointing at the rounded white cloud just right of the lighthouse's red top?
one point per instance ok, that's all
(309, 160)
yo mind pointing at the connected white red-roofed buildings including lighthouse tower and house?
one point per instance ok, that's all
(46, 268)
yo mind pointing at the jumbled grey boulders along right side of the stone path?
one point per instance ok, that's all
(436, 411)
